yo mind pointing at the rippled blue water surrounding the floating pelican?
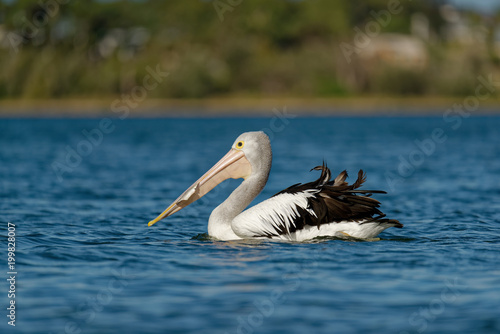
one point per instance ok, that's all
(86, 261)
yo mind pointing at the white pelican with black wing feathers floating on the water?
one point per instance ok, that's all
(301, 212)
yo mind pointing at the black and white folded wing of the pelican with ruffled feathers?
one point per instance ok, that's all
(311, 204)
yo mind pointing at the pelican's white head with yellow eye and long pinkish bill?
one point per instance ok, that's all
(249, 154)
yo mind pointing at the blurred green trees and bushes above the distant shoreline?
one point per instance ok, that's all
(63, 49)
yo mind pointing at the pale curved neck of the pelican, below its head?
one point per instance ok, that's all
(219, 224)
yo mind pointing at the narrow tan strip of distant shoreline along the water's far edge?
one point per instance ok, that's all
(233, 106)
